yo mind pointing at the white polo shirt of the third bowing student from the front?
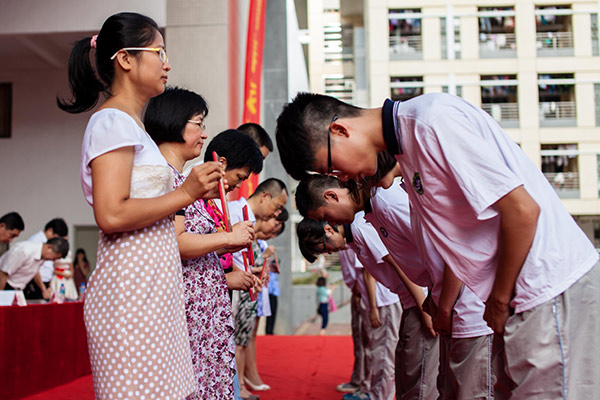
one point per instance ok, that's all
(362, 238)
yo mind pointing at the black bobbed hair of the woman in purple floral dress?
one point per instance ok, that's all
(167, 114)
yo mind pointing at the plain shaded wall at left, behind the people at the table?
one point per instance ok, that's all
(40, 162)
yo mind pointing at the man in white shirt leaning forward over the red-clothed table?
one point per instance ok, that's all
(23, 261)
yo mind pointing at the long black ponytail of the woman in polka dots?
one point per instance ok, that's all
(84, 85)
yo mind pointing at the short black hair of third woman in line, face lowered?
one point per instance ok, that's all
(238, 148)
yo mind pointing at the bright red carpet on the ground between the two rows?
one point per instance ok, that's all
(296, 367)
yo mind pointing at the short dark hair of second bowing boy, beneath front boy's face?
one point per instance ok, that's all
(309, 193)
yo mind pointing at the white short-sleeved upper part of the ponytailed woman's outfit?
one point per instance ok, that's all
(110, 129)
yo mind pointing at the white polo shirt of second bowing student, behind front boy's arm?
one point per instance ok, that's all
(390, 215)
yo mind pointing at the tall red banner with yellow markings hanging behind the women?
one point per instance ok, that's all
(253, 77)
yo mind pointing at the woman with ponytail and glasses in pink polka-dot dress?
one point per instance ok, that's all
(134, 308)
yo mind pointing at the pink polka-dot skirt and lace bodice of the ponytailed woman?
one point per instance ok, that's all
(134, 311)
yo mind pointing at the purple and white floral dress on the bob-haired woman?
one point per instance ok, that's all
(208, 312)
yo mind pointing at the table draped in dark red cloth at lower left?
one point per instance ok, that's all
(41, 346)
